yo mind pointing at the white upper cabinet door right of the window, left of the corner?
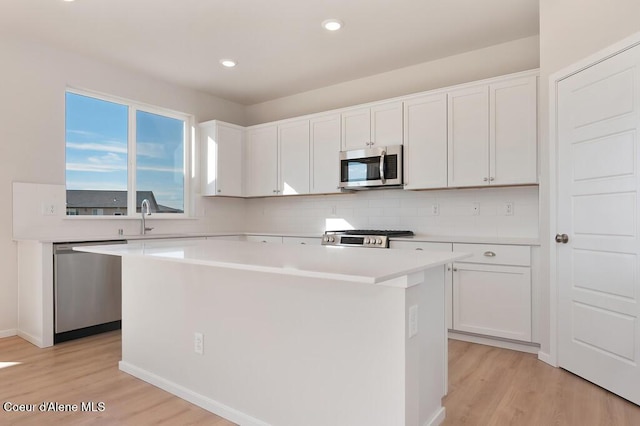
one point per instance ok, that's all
(229, 160)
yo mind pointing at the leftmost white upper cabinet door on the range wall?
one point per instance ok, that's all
(262, 161)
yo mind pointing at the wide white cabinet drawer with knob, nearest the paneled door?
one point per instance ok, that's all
(495, 254)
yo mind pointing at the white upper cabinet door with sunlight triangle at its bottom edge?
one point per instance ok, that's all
(293, 150)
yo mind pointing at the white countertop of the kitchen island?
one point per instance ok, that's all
(364, 265)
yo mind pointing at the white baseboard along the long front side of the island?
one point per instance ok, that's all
(195, 398)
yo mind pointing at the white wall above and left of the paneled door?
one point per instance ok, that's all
(569, 31)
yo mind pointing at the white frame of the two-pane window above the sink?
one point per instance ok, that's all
(133, 107)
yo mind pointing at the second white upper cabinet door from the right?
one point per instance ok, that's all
(468, 137)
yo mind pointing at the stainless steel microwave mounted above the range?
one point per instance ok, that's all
(371, 168)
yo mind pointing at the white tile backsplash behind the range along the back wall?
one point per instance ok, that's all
(484, 212)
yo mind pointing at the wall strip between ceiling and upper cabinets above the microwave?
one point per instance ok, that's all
(510, 57)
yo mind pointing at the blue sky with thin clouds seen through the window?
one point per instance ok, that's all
(96, 149)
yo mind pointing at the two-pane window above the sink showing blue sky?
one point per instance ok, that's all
(119, 153)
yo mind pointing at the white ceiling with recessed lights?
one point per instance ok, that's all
(279, 45)
